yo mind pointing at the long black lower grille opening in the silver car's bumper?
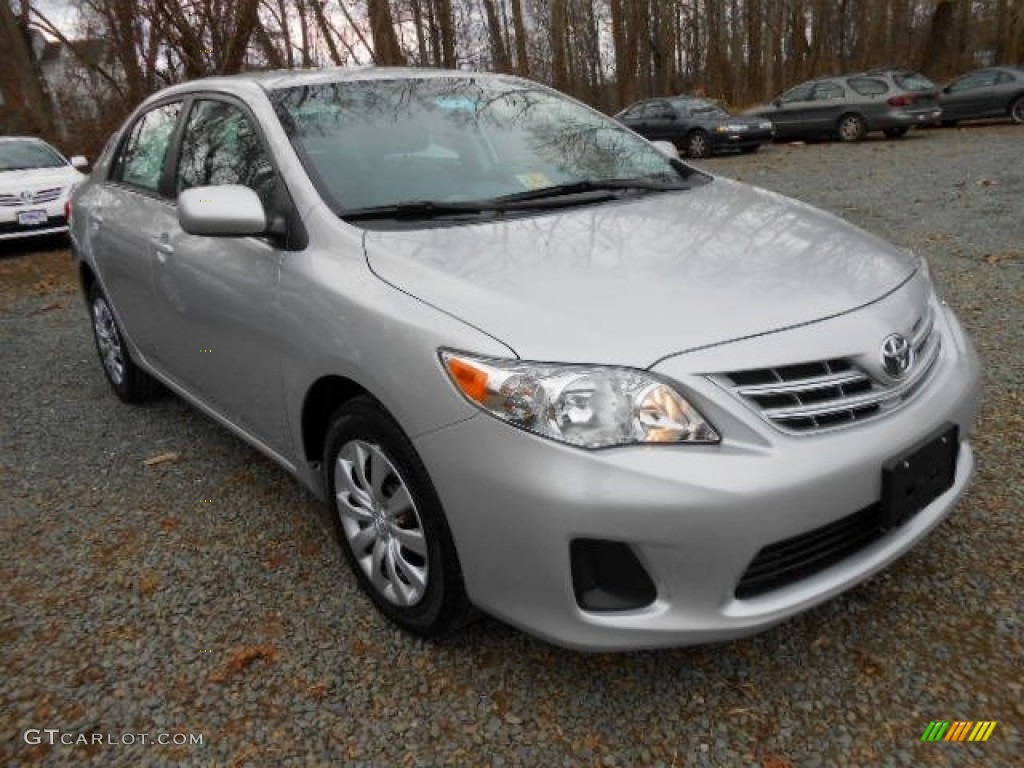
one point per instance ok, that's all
(790, 561)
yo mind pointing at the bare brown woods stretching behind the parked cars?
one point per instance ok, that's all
(607, 53)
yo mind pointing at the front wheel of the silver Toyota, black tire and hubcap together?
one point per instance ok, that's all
(387, 569)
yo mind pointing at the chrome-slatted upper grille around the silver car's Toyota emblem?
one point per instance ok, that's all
(823, 395)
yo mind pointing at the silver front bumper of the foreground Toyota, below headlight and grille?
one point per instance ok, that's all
(695, 517)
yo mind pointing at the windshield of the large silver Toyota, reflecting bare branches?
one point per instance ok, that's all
(383, 143)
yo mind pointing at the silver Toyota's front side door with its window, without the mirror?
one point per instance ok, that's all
(219, 329)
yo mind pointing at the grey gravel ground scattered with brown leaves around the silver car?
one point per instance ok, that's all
(205, 596)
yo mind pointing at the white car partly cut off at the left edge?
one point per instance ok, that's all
(36, 181)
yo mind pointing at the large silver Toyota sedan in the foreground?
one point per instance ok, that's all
(535, 367)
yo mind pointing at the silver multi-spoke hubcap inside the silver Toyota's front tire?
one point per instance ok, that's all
(381, 523)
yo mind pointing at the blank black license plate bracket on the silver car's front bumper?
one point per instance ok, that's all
(920, 476)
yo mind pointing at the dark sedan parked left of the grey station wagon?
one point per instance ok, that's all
(697, 126)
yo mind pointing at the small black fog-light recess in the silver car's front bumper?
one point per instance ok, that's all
(609, 577)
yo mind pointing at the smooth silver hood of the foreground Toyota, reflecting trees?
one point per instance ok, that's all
(631, 282)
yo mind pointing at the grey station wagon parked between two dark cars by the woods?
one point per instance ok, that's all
(850, 107)
